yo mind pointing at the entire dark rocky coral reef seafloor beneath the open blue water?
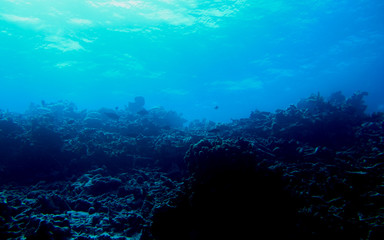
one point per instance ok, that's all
(312, 171)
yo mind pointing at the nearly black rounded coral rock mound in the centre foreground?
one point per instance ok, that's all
(231, 195)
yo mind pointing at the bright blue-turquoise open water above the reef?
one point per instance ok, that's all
(206, 59)
